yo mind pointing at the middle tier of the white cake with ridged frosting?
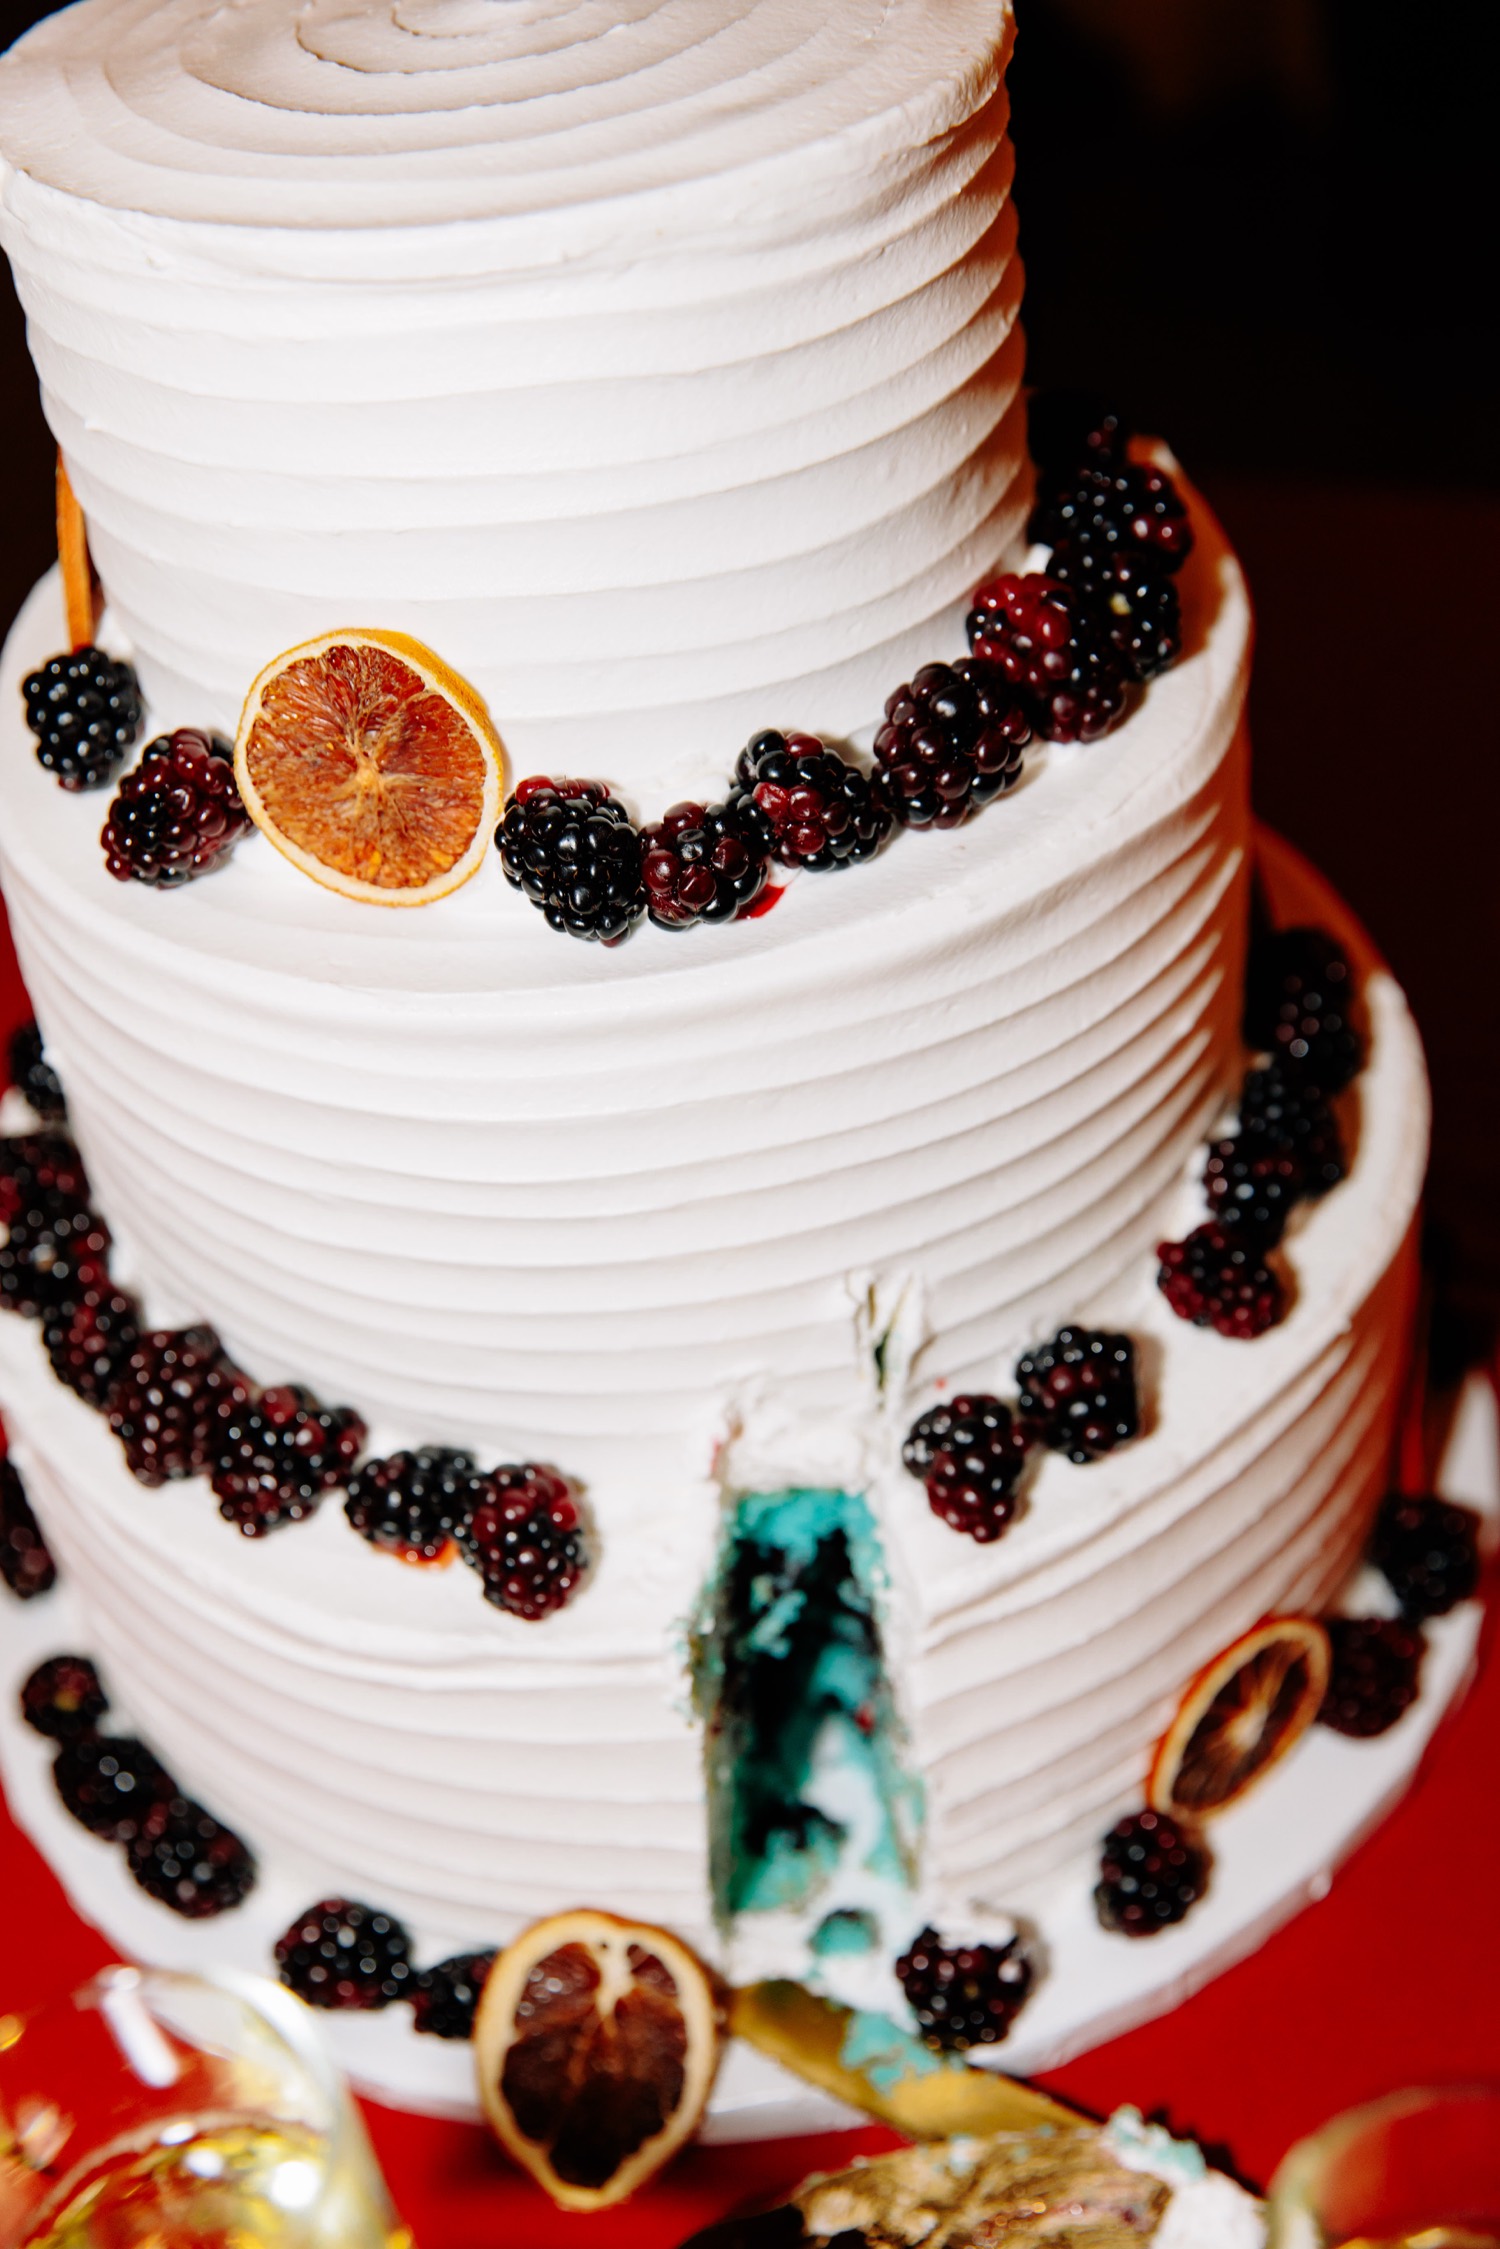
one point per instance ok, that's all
(554, 1202)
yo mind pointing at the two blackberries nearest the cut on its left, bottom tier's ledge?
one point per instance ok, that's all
(518, 1526)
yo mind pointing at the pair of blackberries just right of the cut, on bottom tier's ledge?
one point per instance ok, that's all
(1076, 1398)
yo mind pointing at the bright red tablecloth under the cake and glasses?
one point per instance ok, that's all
(1391, 1980)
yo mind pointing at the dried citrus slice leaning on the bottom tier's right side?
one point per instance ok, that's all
(1240, 1715)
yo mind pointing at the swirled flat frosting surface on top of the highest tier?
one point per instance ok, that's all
(372, 114)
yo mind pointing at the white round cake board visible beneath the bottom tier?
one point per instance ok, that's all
(1274, 1854)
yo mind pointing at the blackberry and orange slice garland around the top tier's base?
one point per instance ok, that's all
(1054, 656)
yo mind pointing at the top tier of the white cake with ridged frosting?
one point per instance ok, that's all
(656, 363)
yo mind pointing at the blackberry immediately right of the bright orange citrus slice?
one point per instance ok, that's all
(577, 856)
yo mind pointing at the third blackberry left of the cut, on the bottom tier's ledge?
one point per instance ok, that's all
(278, 1454)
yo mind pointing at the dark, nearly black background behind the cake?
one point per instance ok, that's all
(1267, 228)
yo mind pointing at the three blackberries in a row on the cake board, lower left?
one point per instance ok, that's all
(179, 1852)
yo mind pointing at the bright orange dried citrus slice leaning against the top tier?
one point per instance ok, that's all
(372, 766)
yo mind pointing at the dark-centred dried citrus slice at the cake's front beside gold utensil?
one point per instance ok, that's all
(595, 2043)
